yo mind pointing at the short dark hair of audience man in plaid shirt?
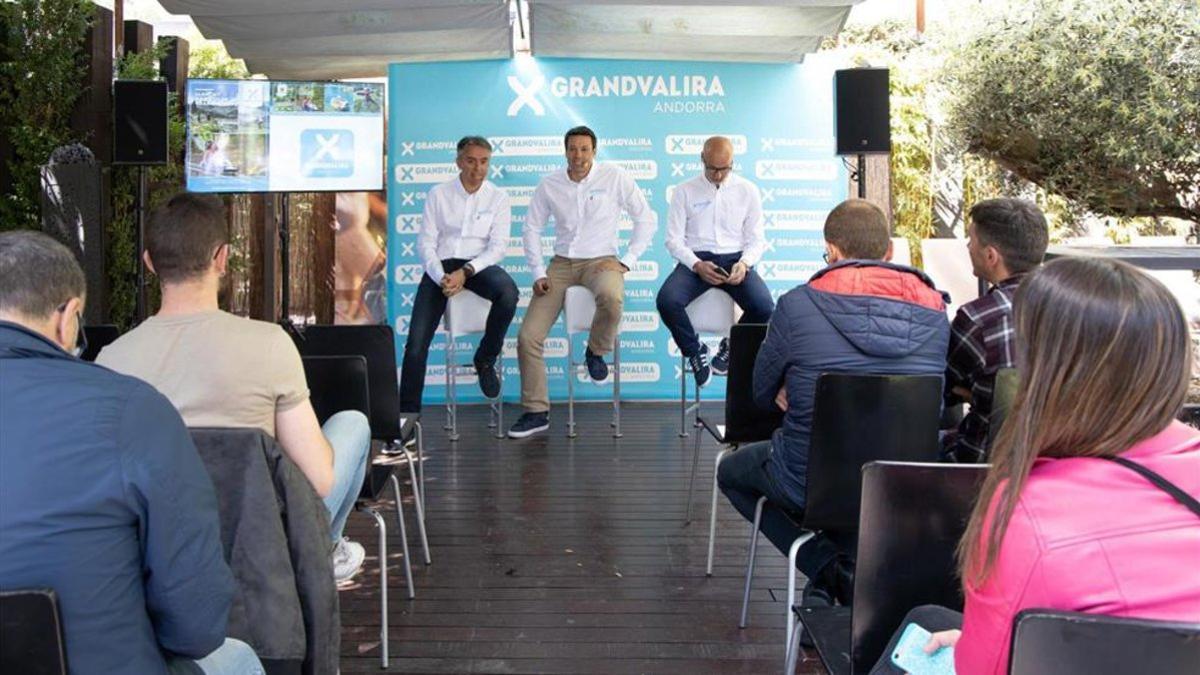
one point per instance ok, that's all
(1017, 229)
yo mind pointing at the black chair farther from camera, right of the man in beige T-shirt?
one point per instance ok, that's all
(377, 347)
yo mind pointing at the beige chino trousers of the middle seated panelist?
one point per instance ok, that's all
(607, 280)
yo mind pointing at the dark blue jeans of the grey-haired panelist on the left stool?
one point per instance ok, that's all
(491, 284)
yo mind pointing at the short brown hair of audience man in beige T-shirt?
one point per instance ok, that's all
(184, 235)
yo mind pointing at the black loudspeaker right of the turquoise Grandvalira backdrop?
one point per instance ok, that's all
(862, 117)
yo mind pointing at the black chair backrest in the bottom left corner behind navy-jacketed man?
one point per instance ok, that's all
(32, 641)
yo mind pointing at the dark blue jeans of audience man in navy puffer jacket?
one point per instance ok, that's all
(743, 477)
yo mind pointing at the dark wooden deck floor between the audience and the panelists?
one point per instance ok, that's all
(553, 555)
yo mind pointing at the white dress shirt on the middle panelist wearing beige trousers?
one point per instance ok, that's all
(587, 216)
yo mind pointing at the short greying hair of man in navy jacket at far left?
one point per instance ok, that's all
(38, 274)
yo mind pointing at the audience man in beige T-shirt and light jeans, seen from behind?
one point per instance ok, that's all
(224, 371)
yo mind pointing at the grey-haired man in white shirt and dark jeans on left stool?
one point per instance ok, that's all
(465, 234)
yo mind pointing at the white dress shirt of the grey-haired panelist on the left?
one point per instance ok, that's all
(461, 225)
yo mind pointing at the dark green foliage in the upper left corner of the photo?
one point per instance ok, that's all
(41, 79)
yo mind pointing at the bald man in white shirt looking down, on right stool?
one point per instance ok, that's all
(715, 230)
